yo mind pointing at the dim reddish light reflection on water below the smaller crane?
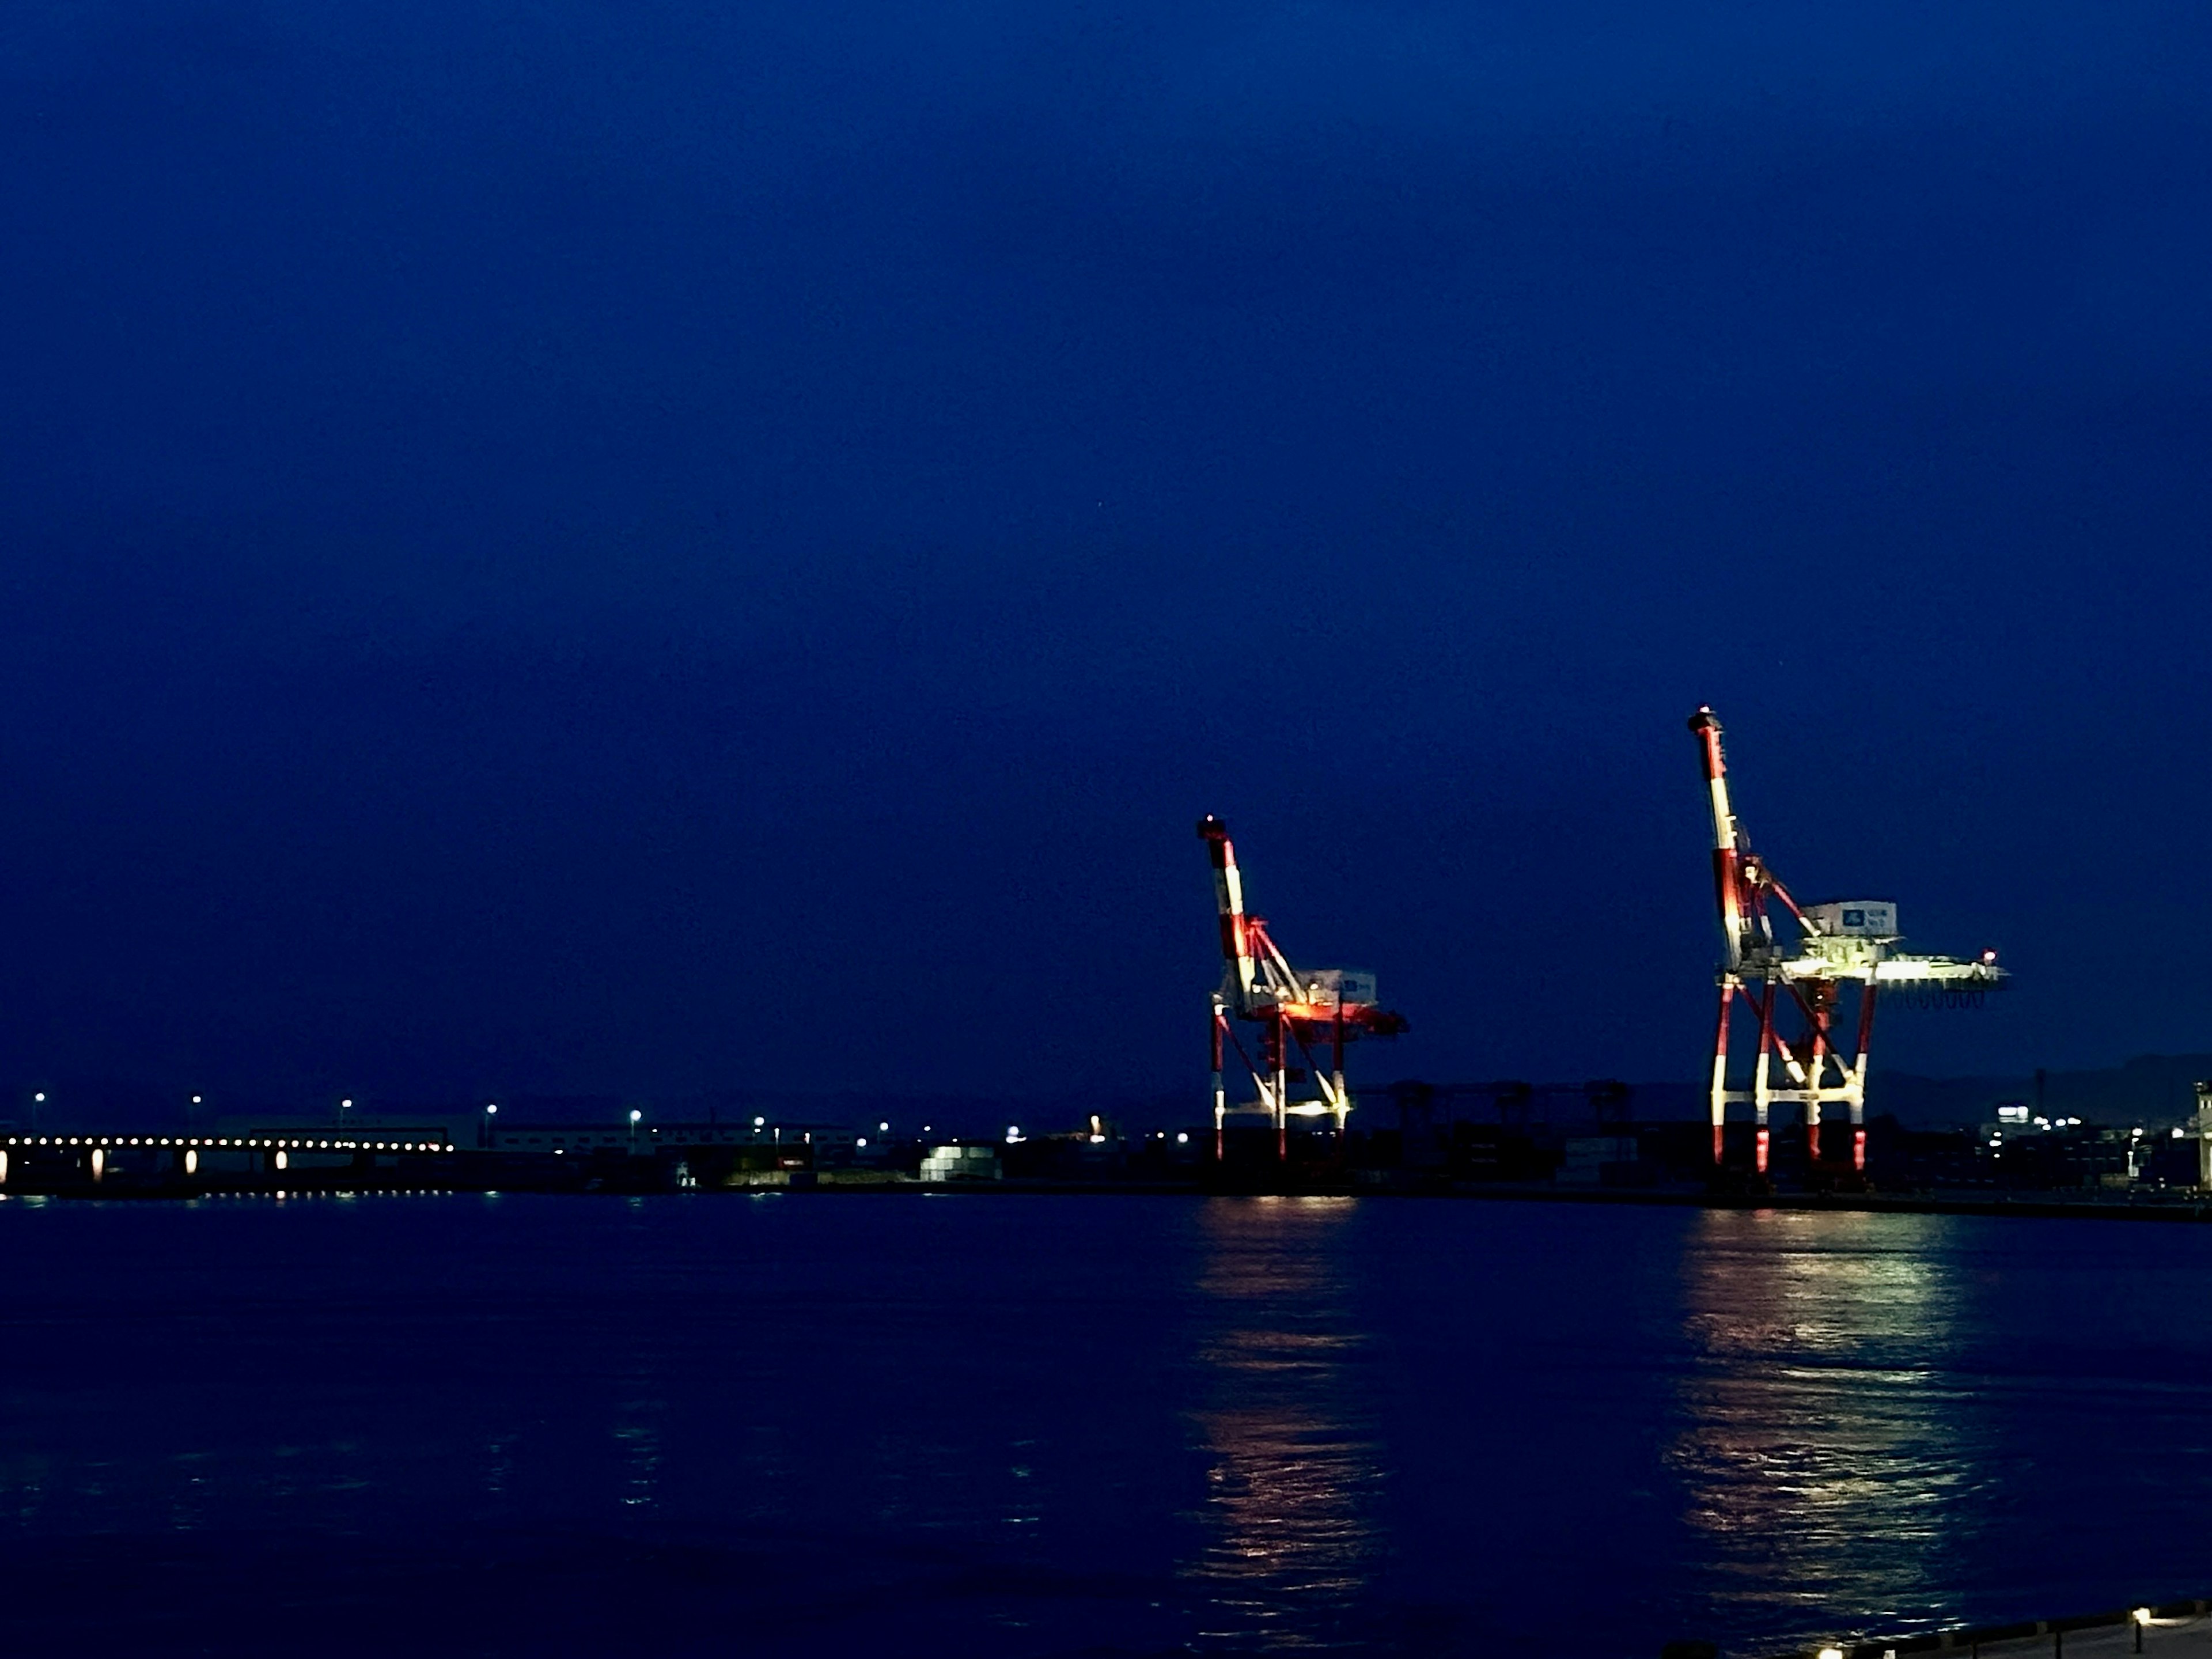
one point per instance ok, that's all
(1291, 1523)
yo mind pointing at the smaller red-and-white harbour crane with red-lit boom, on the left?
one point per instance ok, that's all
(1288, 1008)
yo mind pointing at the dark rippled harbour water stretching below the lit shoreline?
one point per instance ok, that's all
(1005, 1426)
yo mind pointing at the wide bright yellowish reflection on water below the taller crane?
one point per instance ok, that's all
(1824, 1457)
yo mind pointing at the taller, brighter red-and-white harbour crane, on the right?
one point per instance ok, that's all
(1795, 981)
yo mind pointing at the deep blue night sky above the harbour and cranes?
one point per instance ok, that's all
(649, 547)
